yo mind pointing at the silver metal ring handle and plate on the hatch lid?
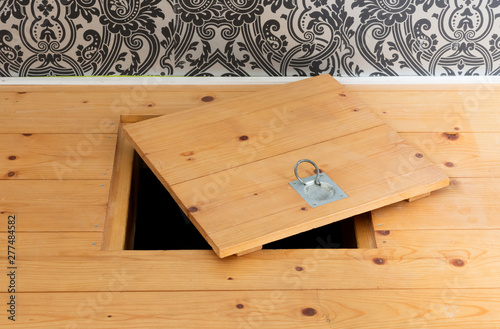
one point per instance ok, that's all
(317, 190)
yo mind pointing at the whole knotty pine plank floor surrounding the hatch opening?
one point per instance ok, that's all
(436, 265)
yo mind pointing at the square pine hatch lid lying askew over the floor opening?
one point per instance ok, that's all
(229, 164)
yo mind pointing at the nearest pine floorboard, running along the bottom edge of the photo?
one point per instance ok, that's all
(424, 308)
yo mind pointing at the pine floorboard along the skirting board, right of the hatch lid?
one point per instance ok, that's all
(434, 108)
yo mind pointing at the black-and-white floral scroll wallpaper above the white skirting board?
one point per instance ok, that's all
(249, 37)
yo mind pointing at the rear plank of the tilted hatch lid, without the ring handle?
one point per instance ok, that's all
(260, 129)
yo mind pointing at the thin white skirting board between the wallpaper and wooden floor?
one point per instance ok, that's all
(157, 80)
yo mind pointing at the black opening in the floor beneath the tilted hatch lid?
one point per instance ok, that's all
(161, 224)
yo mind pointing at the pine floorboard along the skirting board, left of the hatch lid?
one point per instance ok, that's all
(91, 109)
